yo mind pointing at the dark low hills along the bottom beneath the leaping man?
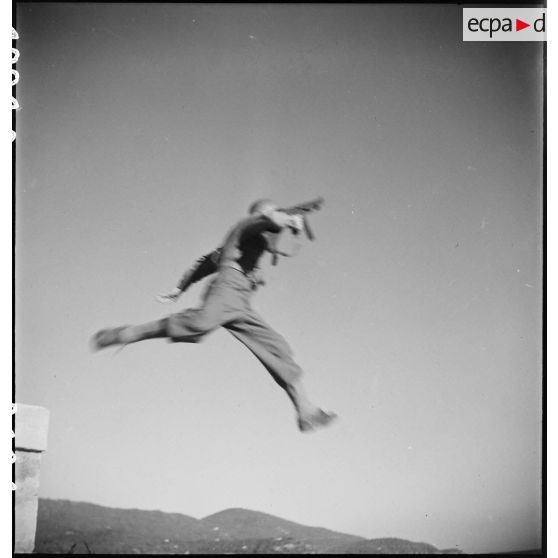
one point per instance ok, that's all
(65, 526)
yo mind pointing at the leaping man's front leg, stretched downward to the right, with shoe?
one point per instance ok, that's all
(276, 355)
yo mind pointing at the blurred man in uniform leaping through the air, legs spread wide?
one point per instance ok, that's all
(227, 303)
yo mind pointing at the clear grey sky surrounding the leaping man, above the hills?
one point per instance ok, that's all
(144, 133)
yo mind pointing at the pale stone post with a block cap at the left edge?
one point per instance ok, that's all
(31, 427)
